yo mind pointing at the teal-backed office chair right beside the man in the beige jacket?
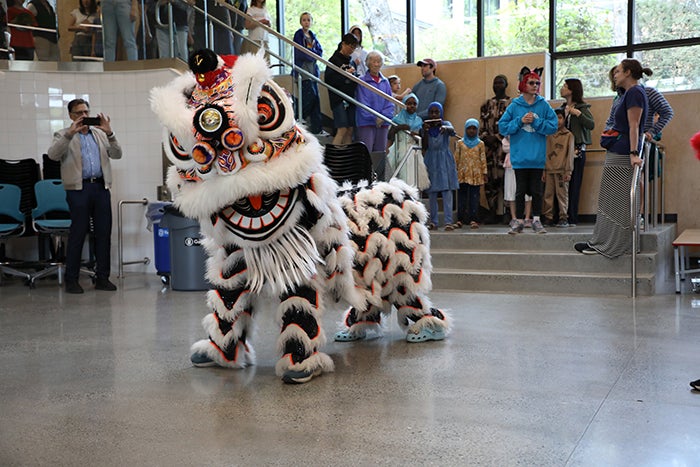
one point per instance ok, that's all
(51, 217)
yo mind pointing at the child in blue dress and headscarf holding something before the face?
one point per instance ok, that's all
(438, 159)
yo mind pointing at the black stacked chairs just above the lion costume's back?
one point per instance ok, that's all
(348, 162)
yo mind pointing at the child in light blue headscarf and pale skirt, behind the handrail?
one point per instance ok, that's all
(400, 142)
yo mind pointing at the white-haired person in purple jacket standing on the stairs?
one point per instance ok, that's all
(372, 130)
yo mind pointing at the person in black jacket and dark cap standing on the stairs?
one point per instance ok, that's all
(343, 111)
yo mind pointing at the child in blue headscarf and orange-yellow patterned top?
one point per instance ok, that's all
(470, 158)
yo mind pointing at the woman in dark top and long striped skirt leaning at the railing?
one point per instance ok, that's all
(612, 235)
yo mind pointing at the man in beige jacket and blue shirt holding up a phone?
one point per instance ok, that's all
(84, 149)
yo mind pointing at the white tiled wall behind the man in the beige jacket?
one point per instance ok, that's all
(34, 106)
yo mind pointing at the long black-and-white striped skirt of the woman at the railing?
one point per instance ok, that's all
(612, 234)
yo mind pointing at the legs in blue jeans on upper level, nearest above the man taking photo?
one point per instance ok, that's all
(119, 16)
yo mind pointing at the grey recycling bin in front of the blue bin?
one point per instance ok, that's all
(187, 255)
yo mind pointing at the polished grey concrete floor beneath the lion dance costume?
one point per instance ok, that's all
(104, 379)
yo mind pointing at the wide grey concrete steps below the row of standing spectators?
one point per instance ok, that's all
(491, 260)
